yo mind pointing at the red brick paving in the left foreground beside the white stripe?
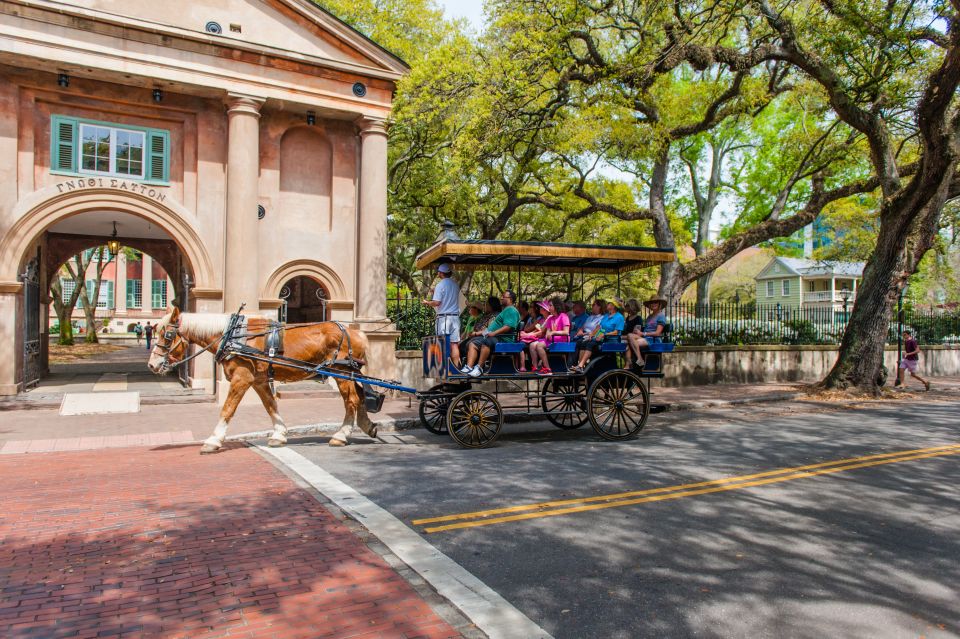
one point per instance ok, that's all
(162, 542)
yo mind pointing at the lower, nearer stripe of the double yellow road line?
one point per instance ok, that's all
(733, 483)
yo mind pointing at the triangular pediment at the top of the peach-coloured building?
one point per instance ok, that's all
(294, 29)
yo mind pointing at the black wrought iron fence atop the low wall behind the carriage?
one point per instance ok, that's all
(725, 324)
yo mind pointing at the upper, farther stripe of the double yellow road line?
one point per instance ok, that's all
(650, 491)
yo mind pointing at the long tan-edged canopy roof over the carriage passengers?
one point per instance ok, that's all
(545, 257)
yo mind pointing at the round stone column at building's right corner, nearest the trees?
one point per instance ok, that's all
(371, 283)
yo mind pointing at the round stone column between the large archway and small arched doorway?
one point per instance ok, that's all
(241, 275)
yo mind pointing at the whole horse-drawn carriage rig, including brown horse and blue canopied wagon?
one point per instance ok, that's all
(255, 353)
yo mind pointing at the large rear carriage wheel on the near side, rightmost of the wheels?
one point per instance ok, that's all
(618, 404)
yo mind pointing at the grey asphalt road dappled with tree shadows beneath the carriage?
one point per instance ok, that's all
(870, 548)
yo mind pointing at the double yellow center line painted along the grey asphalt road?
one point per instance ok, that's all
(618, 500)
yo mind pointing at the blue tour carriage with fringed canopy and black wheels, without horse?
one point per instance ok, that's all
(614, 400)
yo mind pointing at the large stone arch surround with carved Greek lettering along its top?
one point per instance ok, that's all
(40, 211)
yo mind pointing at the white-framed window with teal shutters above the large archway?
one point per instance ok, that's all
(86, 147)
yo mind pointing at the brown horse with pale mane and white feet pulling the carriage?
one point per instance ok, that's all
(313, 343)
